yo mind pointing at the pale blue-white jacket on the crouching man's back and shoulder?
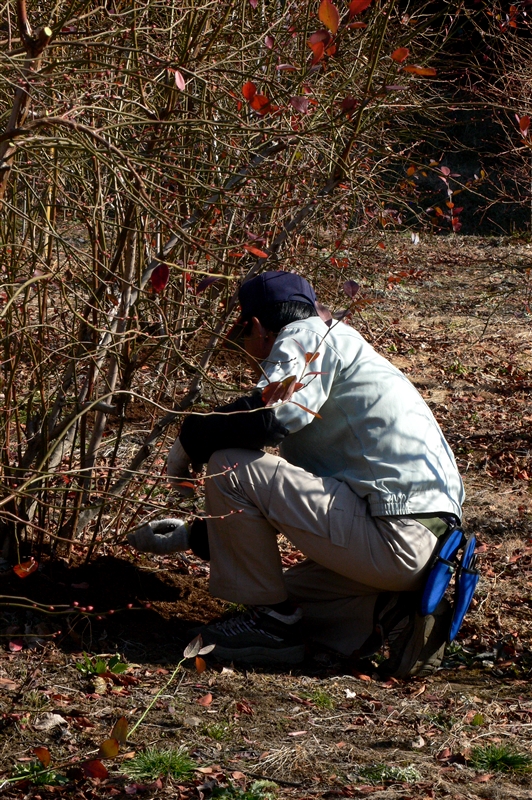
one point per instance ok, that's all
(374, 430)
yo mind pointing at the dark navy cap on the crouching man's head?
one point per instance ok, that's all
(273, 287)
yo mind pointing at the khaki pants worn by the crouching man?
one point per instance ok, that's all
(351, 556)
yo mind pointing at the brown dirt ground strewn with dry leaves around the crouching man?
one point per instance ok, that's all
(455, 315)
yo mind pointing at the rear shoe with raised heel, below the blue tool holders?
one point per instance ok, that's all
(417, 643)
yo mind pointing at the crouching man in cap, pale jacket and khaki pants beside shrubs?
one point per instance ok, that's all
(364, 485)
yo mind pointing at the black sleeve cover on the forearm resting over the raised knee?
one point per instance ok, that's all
(202, 434)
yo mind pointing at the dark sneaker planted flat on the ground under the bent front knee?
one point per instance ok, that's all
(258, 636)
